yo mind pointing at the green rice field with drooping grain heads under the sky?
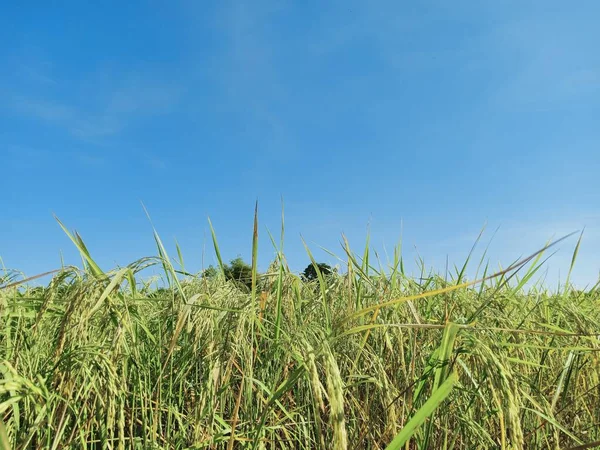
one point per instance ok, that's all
(367, 358)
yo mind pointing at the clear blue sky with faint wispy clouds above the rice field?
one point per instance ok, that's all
(433, 117)
